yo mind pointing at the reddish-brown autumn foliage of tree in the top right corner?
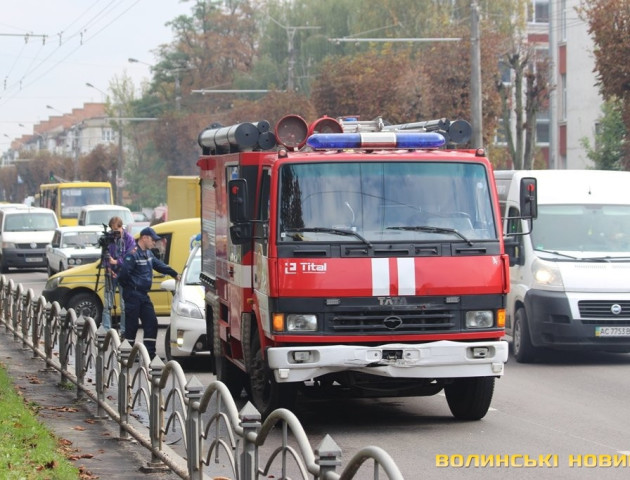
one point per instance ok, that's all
(609, 25)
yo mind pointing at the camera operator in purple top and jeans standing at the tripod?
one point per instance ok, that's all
(117, 243)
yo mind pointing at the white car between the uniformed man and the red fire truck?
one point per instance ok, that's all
(185, 336)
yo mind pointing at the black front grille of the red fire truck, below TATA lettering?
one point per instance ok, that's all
(400, 322)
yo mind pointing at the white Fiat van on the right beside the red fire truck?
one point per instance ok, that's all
(570, 284)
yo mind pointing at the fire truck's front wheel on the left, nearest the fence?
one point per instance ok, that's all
(267, 394)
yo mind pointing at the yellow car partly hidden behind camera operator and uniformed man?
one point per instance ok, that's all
(82, 288)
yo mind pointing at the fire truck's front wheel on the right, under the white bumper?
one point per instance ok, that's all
(469, 398)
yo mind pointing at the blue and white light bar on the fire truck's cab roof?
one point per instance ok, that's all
(376, 140)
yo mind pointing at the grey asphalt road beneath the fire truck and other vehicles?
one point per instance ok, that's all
(566, 416)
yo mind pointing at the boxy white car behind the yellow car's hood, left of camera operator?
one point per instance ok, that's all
(73, 246)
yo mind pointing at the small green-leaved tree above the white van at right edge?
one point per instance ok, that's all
(607, 153)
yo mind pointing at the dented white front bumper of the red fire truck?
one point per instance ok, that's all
(441, 359)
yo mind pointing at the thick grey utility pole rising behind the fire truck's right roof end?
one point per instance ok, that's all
(475, 77)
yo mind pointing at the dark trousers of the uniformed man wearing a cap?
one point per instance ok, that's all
(138, 305)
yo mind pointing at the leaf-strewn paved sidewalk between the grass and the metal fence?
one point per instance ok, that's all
(92, 443)
